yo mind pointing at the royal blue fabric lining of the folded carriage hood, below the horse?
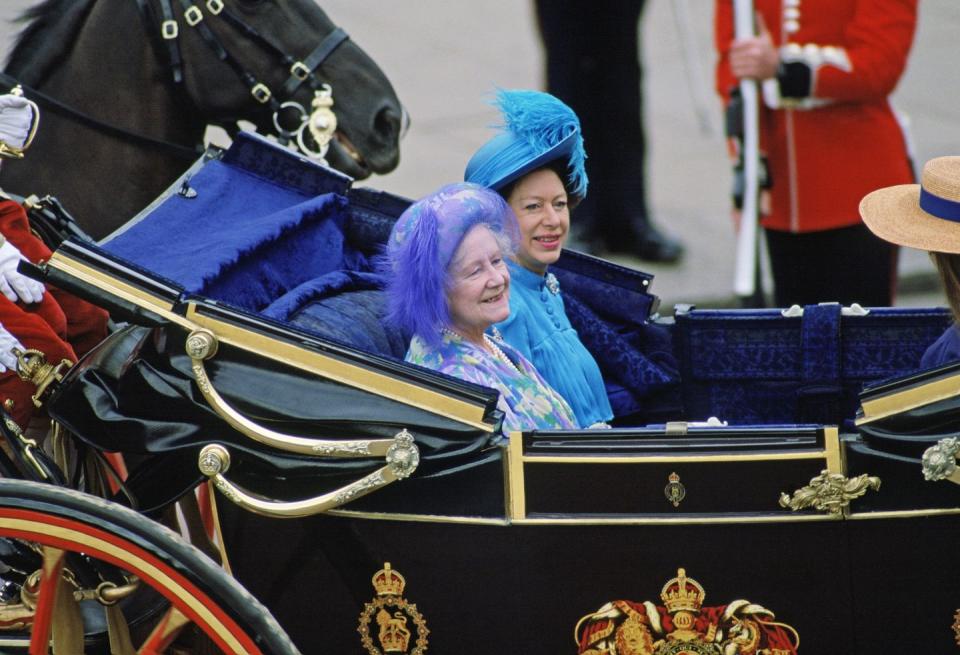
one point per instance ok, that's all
(240, 239)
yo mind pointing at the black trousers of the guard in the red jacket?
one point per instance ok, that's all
(845, 265)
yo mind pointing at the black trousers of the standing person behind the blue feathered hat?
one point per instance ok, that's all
(593, 64)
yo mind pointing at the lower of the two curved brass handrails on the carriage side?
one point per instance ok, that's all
(402, 460)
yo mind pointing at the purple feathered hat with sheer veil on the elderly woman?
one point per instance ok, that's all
(423, 243)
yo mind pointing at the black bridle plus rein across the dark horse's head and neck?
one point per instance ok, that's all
(167, 28)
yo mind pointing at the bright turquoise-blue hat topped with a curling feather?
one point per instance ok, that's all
(538, 128)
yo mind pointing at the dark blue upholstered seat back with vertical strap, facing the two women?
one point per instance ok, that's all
(759, 367)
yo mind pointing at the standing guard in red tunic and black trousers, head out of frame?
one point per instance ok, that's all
(829, 136)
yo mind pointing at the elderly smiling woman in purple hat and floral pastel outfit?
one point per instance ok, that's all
(449, 283)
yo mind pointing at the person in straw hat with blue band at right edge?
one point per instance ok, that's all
(926, 216)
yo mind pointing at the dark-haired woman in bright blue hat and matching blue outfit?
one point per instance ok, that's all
(536, 164)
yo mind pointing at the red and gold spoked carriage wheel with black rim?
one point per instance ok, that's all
(87, 572)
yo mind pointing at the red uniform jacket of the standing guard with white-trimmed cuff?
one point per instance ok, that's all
(845, 141)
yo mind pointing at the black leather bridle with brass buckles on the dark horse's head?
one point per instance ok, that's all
(320, 124)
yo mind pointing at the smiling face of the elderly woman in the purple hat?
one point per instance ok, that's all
(479, 294)
